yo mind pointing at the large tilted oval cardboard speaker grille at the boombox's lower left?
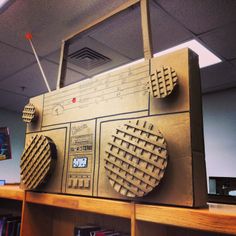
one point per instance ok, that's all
(37, 161)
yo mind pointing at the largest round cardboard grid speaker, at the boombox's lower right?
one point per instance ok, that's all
(136, 158)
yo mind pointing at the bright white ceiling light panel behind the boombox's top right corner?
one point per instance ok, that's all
(206, 57)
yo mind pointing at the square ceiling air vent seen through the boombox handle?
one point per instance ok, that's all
(88, 59)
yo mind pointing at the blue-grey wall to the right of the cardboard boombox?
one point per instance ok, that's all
(219, 116)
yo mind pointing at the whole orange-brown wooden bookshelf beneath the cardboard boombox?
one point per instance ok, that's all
(45, 213)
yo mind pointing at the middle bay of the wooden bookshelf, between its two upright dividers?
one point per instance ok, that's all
(64, 212)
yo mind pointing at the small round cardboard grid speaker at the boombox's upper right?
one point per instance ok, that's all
(162, 82)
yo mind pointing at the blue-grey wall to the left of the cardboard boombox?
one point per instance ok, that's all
(9, 169)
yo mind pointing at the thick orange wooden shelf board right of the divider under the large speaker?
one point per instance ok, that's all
(220, 218)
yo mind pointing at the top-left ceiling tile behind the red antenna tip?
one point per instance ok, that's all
(49, 21)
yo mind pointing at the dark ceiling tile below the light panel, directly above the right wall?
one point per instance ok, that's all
(219, 76)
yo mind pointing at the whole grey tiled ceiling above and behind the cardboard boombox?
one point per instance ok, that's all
(212, 22)
